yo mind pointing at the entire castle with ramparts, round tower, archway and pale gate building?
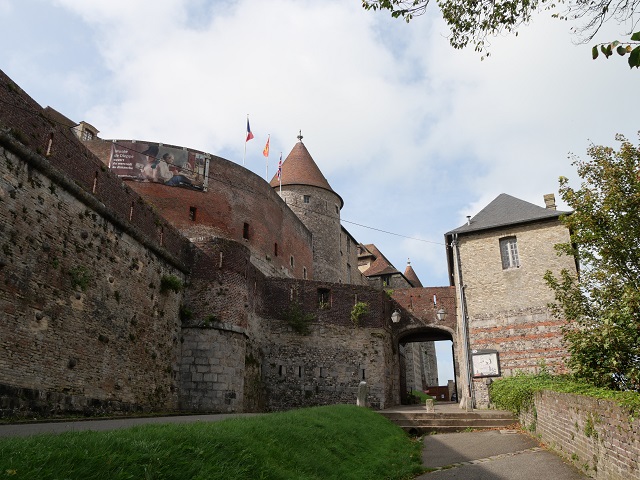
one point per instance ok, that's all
(138, 276)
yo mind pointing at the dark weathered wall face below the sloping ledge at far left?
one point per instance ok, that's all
(85, 326)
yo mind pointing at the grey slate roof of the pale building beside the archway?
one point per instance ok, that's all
(506, 210)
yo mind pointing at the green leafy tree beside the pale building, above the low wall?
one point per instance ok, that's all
(602, 304)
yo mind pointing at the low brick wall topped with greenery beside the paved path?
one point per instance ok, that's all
(597, 436)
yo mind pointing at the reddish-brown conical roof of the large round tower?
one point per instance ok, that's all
(299, 168)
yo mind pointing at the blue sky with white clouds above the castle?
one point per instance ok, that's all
(411, 133)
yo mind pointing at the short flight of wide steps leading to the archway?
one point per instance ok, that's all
(416, 421)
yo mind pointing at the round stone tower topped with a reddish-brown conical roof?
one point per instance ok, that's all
(307, 192)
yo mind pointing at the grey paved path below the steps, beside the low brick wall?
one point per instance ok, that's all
(492, 455)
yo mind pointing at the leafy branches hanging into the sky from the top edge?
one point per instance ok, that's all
(473, 21)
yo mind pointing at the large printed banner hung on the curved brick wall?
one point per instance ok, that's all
(153, 162)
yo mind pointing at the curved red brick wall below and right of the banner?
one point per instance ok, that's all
(235, 197)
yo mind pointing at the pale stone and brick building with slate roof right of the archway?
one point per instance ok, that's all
(497, 261)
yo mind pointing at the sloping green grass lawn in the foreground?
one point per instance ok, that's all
(334, 442)
